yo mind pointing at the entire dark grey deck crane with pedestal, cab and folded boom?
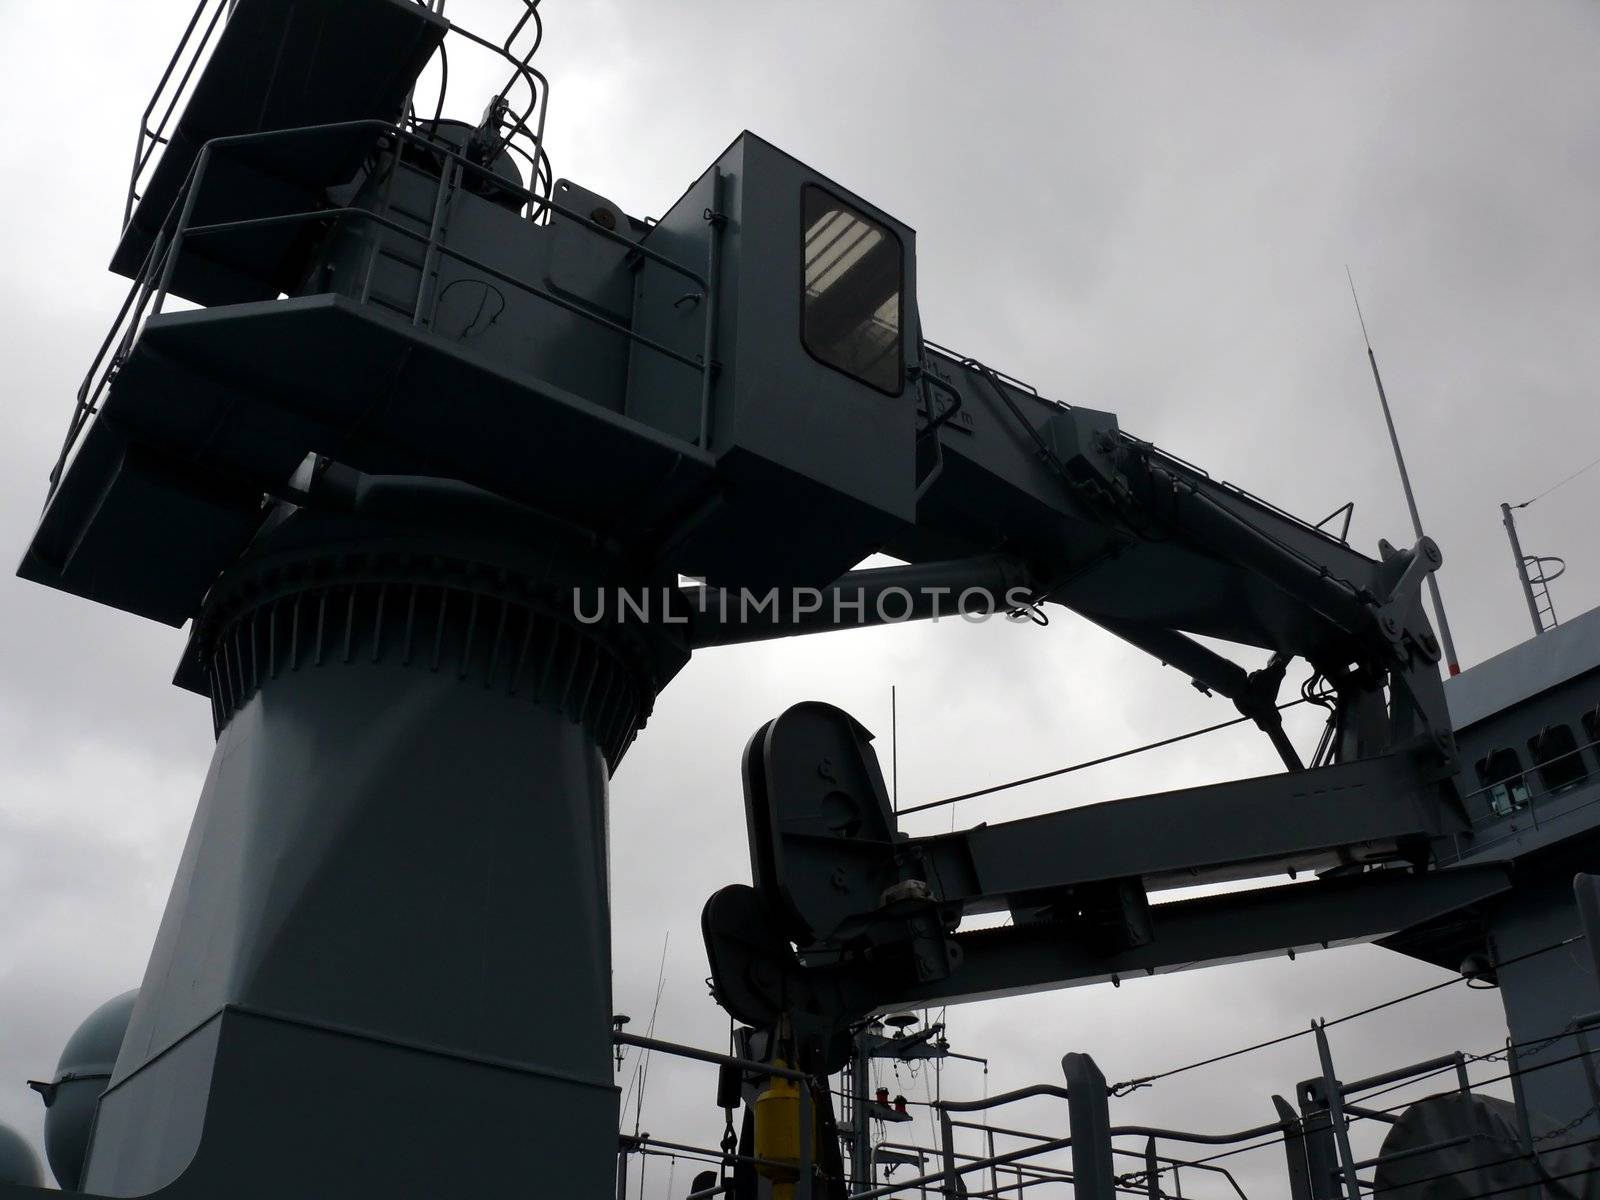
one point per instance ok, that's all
(418, 414)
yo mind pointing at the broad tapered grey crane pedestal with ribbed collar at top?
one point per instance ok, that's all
(385, 967)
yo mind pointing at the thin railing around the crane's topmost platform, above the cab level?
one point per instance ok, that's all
(522, 132)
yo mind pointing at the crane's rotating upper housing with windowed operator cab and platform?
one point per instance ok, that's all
(729, 393)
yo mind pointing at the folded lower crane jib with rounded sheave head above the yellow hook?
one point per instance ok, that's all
(881, 914)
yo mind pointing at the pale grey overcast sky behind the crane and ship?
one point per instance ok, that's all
(1145, 209)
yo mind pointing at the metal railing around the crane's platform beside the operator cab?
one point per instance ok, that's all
(153, 286)
